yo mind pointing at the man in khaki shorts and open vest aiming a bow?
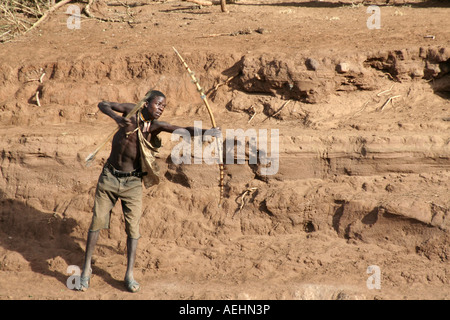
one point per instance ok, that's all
(131, 160)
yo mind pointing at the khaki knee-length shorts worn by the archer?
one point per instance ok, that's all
(110, 189)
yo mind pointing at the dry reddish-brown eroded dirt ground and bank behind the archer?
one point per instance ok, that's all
(364, 157)
